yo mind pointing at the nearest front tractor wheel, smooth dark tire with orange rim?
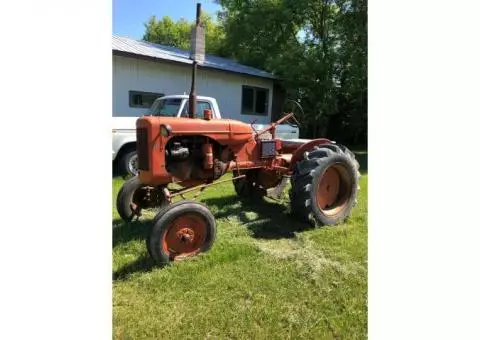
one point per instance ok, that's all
(181, 230)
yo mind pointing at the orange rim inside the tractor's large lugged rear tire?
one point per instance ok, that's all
(334, 189)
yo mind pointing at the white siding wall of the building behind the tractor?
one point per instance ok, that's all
(131, 74)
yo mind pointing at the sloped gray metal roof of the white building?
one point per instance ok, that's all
(157, 51)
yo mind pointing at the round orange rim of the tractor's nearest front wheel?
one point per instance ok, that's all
(185, 236)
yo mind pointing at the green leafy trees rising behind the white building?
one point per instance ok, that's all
(318, 49)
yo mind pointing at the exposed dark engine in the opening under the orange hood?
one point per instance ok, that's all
(196, 158)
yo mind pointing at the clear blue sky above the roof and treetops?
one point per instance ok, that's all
(129, 16)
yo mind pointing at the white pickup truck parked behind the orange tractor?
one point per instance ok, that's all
(124, 133)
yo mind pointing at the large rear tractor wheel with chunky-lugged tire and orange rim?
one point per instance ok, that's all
(325, 184)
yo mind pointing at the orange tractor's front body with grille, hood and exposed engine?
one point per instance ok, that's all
(172, 149)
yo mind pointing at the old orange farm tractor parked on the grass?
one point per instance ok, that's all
(195, 153)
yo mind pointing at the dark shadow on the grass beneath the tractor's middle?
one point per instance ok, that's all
(264, 218)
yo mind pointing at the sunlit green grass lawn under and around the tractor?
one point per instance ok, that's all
(266, 277)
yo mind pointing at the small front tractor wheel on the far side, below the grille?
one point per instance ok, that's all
(133, 197)
